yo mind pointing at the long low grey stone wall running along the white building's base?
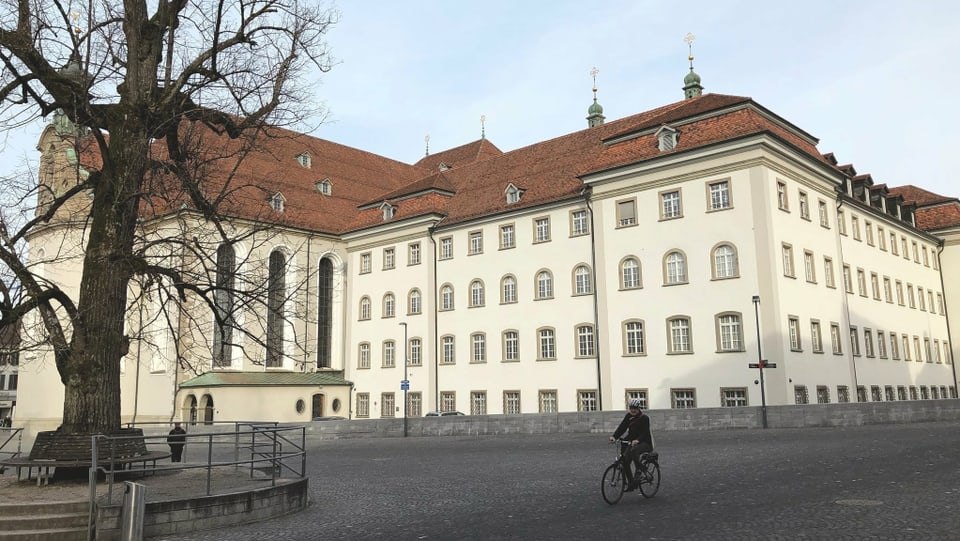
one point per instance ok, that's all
(809, 415)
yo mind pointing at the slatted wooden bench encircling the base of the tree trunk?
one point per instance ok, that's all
(57, 450)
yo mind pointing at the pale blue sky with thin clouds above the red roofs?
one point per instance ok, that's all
(873, 80)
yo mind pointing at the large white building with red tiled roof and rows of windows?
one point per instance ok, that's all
(656, 256)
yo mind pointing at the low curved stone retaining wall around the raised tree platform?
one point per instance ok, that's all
(209, 512)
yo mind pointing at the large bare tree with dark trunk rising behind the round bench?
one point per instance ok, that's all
(152, 101)
